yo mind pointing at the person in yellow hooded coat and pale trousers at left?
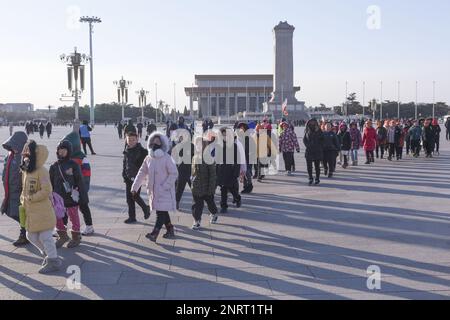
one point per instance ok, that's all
(35, 199)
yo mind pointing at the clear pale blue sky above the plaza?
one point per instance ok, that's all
(168, 42)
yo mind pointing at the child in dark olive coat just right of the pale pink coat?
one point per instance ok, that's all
(203, 185)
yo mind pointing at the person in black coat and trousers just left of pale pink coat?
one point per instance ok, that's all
(133, 157)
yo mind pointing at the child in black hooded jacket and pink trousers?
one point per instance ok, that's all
(67, 181)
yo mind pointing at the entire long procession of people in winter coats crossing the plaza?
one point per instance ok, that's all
(44, 202)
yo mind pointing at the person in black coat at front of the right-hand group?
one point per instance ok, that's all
(313, 141)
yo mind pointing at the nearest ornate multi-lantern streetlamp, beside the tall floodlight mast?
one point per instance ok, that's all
(75, 71)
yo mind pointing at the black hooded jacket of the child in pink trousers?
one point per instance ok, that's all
(68, 170)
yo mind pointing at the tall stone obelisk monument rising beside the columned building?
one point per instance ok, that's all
(284, 88)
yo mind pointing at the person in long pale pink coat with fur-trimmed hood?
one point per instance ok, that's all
(160, 171)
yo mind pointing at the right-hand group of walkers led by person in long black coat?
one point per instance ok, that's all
(330, 144)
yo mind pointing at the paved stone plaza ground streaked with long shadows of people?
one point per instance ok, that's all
(288, 241)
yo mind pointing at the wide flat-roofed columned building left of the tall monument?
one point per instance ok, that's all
(228, 95)
